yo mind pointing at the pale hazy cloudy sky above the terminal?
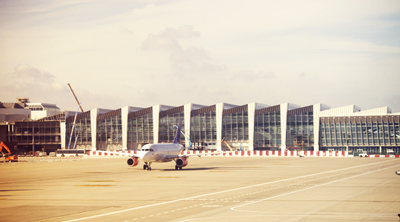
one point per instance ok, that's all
(173, 52)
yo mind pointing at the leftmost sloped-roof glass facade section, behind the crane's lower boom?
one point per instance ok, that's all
(82, 131)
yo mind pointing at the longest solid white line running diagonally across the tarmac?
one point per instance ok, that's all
(224, 191)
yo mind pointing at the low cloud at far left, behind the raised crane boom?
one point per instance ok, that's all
(41, 86)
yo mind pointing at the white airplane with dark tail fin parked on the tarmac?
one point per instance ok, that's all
(159, 153)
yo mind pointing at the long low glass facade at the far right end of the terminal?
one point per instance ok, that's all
(360, 131)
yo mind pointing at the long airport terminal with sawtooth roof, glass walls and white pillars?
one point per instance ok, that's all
(222, 126)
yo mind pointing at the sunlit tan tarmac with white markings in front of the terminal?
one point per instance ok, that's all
(208, 189)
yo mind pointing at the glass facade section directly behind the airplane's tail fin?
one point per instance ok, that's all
(168, 120)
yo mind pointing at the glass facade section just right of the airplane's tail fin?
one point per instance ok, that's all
(203, 125)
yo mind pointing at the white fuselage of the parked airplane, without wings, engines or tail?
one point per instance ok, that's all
(159, 152)
